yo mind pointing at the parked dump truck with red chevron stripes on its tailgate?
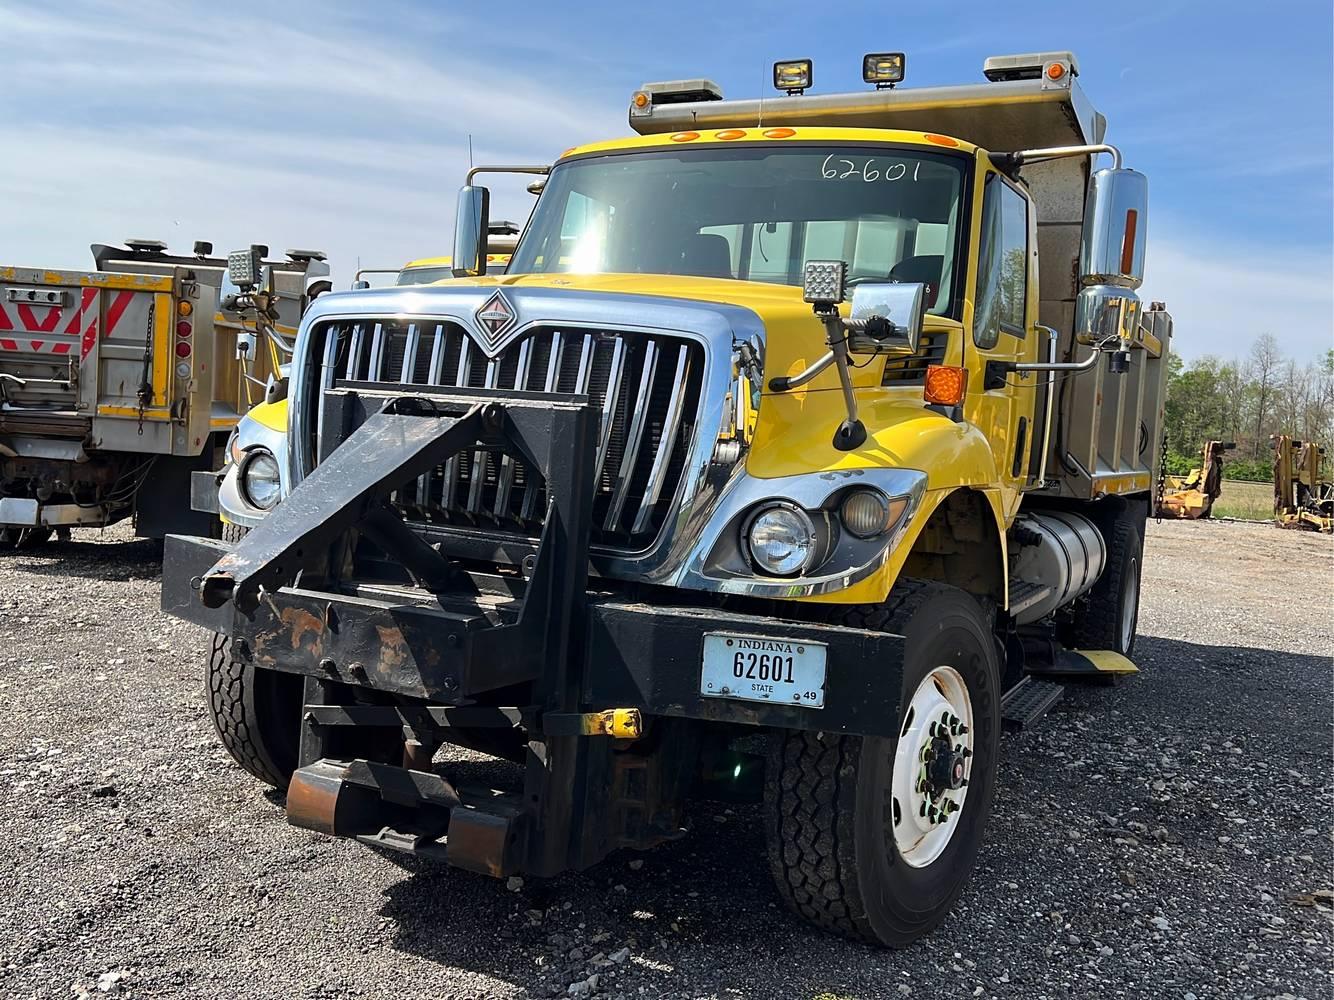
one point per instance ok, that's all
(118, 383)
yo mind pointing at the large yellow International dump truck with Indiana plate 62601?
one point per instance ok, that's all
(798, 439)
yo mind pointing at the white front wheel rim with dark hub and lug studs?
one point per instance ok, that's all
(928, 809)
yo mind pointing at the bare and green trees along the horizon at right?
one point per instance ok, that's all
(1247, 401)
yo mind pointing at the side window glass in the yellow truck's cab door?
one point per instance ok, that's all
(1003, 265)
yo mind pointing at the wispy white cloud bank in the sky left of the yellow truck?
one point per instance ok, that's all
(170, 122)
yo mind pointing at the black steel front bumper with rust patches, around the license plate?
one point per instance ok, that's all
(634, 655)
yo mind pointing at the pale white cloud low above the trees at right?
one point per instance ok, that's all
(1223, 297)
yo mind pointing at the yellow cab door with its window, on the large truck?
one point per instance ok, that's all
(1005, 330)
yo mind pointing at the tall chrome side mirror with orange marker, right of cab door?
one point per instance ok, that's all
(1116, 222)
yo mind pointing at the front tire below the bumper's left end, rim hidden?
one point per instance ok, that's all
(257, 714)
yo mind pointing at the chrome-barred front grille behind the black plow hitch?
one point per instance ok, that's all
(646, 389)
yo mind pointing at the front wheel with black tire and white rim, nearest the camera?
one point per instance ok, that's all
(841, 822)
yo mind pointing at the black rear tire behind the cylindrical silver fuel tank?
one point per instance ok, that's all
(1109, 615)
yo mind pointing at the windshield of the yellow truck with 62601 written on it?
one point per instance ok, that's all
(754, 214)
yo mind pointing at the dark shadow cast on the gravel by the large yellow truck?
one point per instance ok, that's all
(700, 915)
